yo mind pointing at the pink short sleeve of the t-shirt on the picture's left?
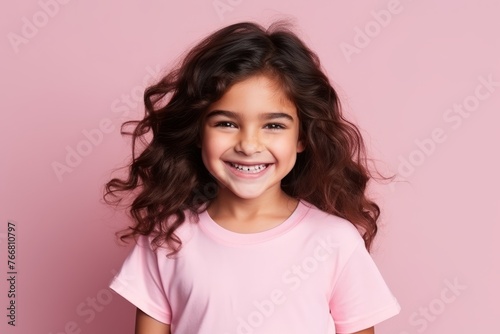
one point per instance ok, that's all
(139, 282)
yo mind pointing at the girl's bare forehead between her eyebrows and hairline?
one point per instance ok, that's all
(256, 94)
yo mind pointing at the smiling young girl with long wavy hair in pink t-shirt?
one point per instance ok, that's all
(250, 213)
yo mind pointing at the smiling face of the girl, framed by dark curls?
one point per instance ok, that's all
(250, 138)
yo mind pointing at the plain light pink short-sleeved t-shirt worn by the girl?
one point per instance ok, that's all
(310, 274)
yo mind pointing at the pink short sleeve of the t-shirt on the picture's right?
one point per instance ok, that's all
(360, 297)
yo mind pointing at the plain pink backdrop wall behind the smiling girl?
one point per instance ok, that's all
(82, 67)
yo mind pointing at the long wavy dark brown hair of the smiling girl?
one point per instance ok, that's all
(167, 176)
